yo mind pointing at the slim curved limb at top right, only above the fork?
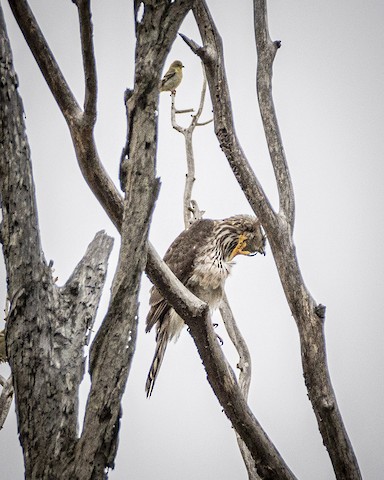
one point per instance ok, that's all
(266, 51)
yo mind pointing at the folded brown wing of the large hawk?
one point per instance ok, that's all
(180, 258)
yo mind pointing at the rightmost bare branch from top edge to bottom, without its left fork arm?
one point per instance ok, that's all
(309, 316)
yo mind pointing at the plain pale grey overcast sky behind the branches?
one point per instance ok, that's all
(328, 90)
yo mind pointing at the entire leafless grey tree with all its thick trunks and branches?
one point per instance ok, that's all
(48, 326)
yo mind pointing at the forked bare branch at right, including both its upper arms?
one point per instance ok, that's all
(308, 315)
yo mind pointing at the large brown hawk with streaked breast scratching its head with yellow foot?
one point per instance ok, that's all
(201, 258)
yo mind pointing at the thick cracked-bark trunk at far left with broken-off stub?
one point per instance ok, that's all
(47, 326)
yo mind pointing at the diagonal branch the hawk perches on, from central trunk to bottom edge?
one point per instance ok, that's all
(221, 377)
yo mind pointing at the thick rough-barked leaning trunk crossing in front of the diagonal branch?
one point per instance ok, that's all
(113, 348)
